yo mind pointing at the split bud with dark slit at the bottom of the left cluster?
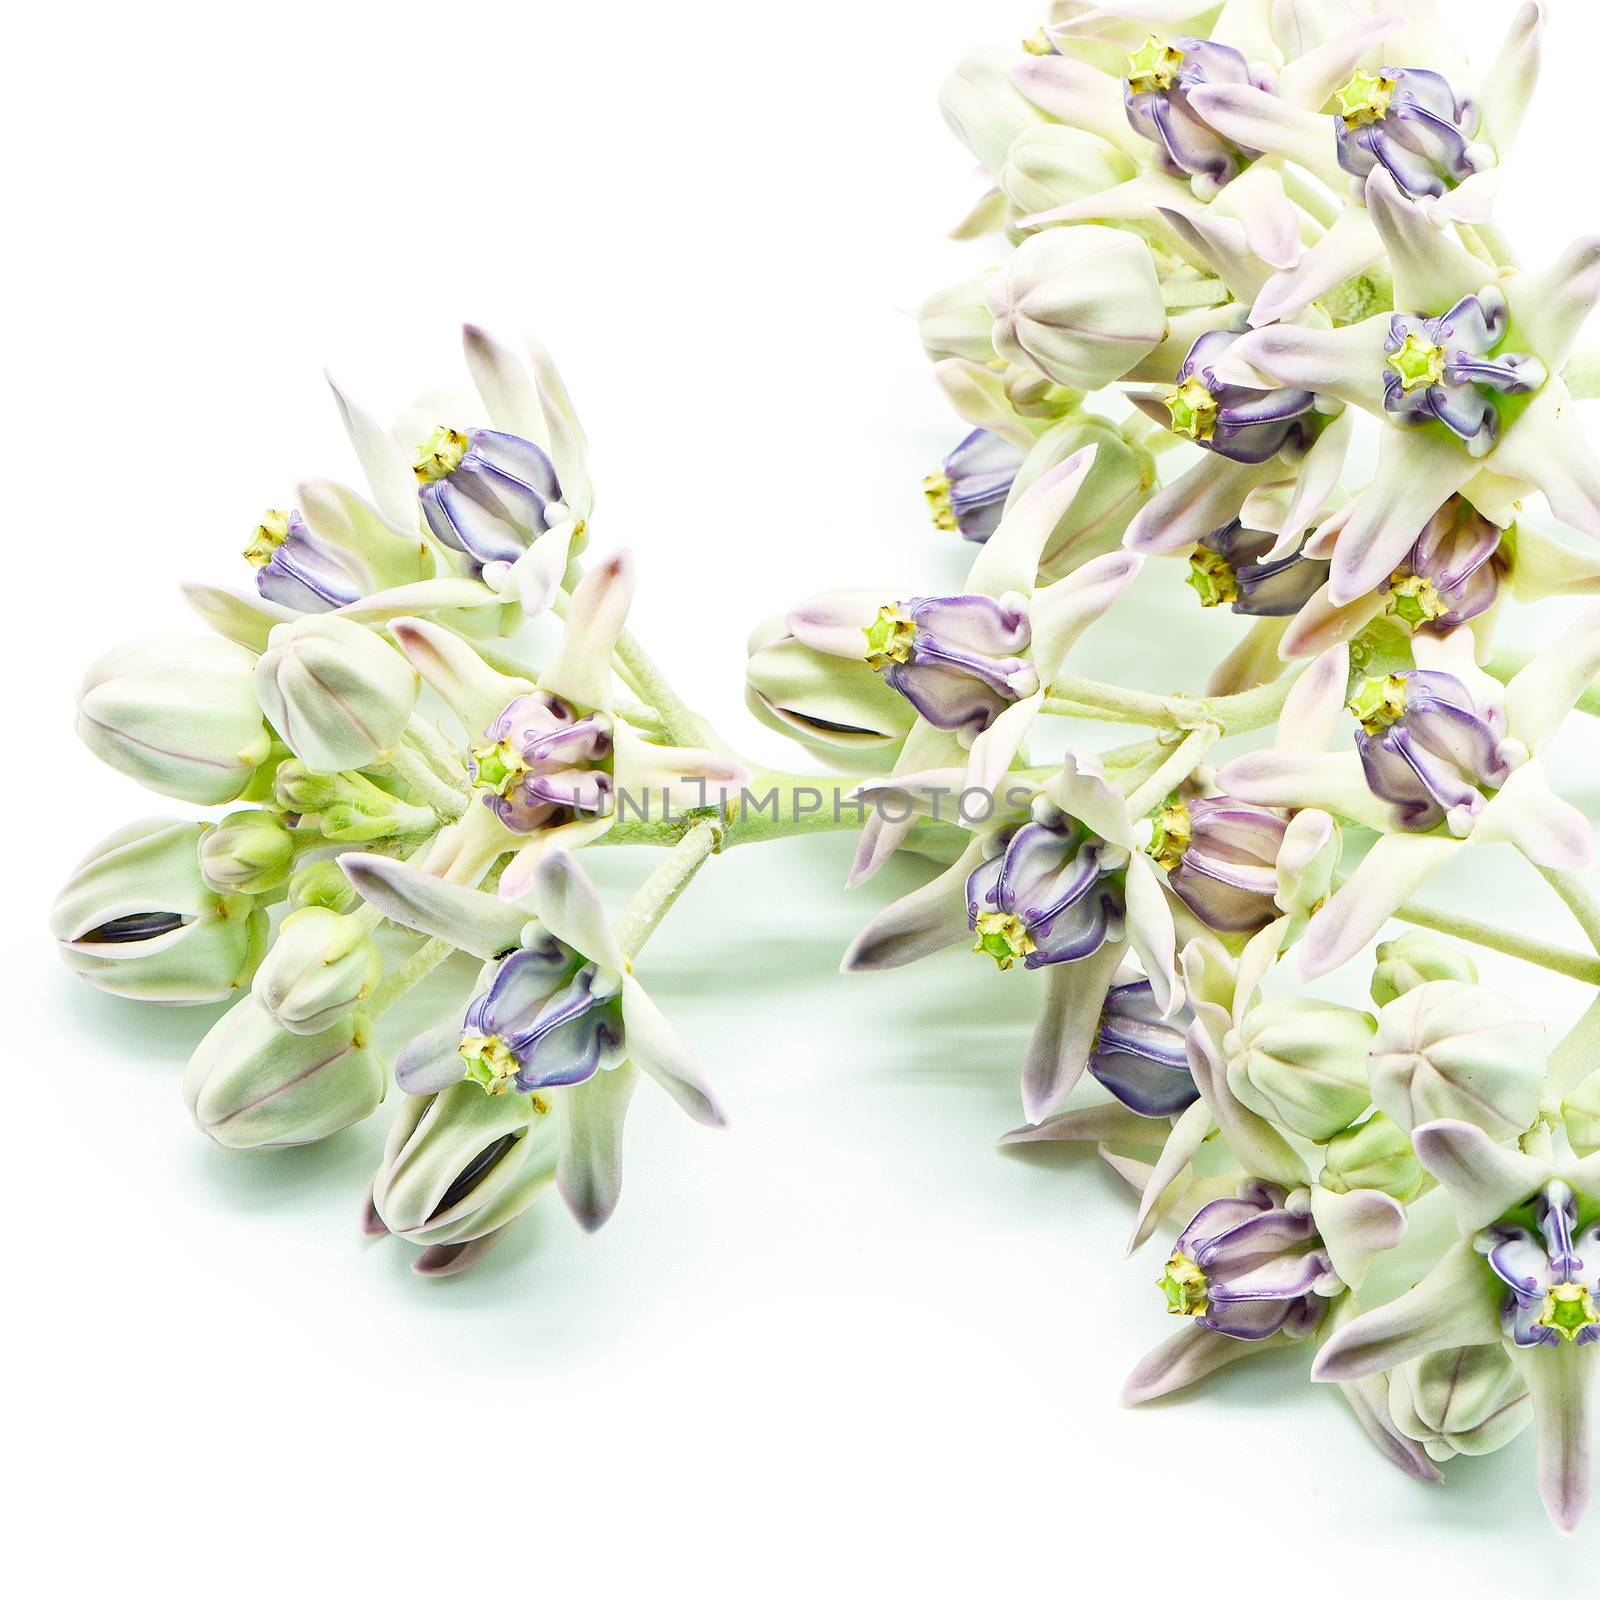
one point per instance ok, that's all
(463, 1164)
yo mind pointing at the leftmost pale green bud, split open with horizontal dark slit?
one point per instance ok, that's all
(137, 919)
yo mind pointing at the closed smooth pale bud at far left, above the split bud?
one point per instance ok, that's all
(177, 714)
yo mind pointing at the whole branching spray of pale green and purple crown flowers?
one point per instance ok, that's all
(1223, 246)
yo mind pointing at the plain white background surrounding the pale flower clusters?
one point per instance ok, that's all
(842, 1348)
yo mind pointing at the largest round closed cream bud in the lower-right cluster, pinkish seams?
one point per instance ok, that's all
(1458, 1050)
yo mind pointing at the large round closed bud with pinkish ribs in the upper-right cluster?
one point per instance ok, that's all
(1079, 305)
